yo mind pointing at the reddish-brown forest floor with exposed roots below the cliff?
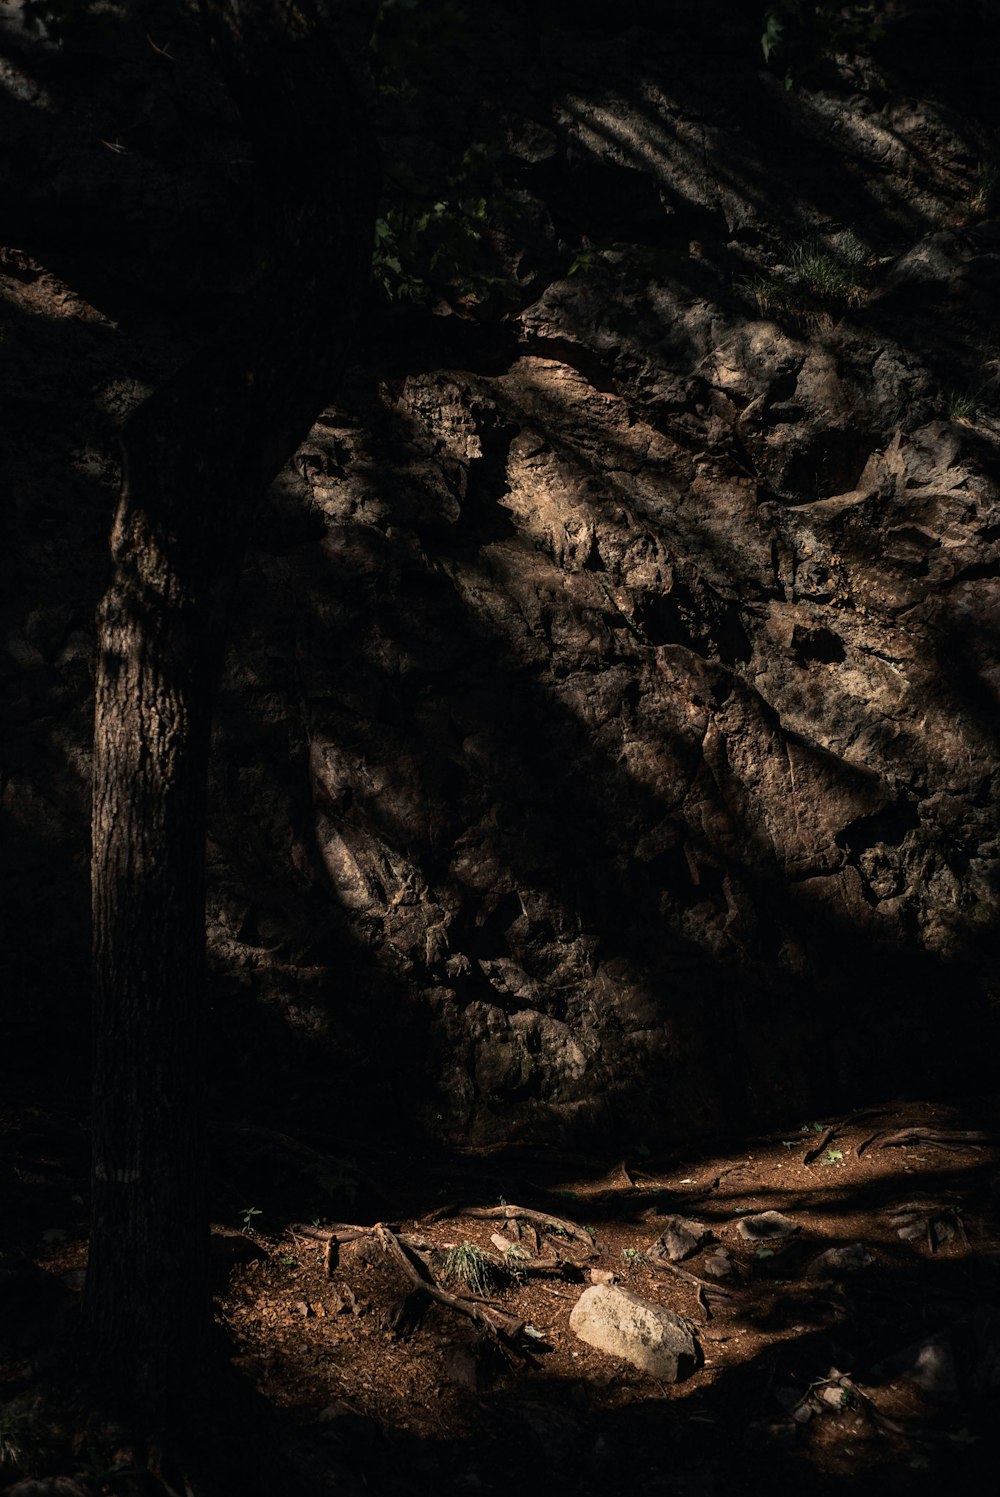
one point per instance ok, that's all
(863, 1347)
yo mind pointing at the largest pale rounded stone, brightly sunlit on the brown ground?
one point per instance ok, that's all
(621, 1324)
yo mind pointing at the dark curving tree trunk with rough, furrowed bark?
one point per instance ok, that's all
(197, 457)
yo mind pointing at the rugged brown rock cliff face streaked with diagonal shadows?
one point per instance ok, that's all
(610, 730)
